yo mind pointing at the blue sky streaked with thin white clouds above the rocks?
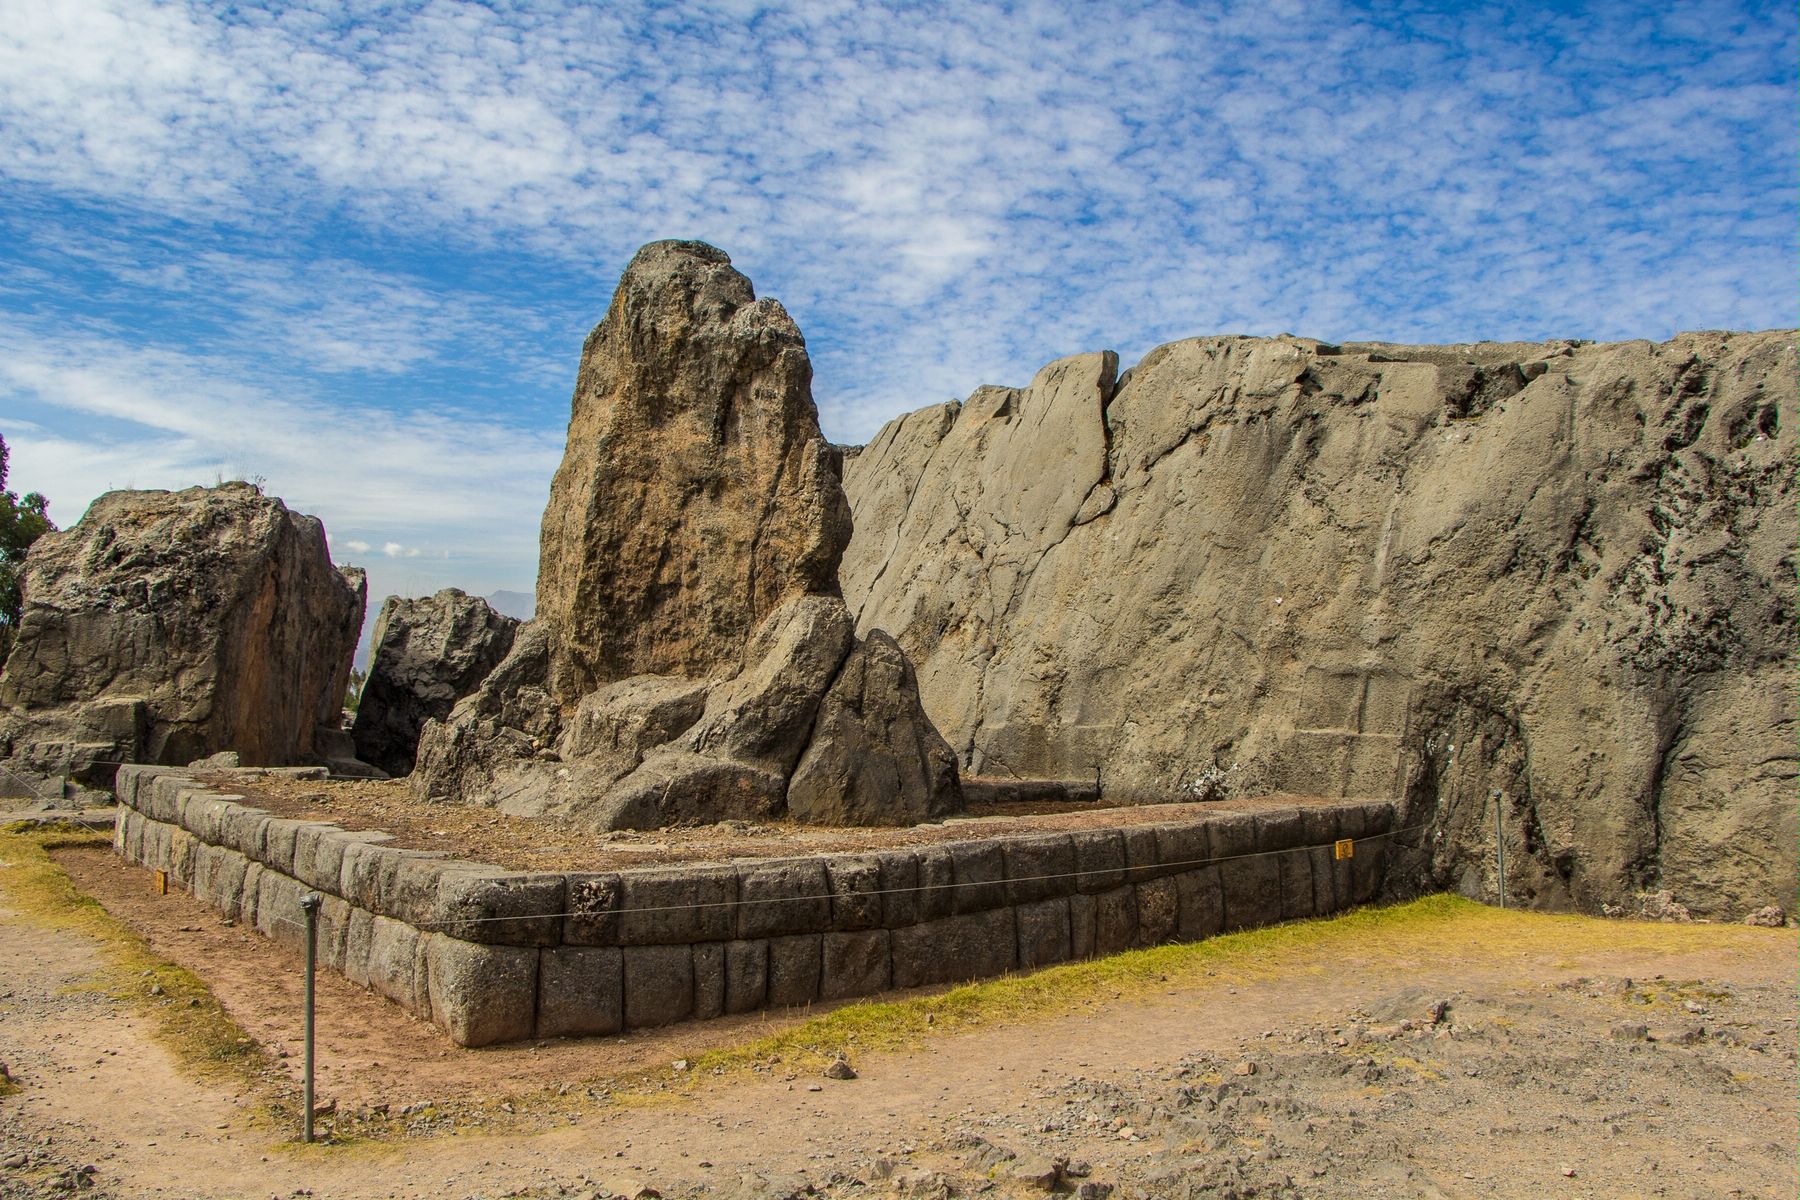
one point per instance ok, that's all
(352, 249)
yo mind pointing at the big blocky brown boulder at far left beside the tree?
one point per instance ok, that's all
(174, 625)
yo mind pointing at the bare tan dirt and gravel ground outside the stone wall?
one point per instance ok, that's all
(1558, 1062)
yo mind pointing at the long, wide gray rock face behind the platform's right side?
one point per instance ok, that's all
(1563, 573)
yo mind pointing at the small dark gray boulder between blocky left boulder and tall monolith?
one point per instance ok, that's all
(429, 654)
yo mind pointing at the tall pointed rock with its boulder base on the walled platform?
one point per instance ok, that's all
(694, 658)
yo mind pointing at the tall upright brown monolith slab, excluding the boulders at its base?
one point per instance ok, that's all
(696, 494)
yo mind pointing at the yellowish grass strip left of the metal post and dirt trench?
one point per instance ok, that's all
(188, 1019)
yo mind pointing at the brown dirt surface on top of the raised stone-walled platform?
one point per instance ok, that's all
(550, 845)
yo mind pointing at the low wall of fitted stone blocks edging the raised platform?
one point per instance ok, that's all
(498, 956)
